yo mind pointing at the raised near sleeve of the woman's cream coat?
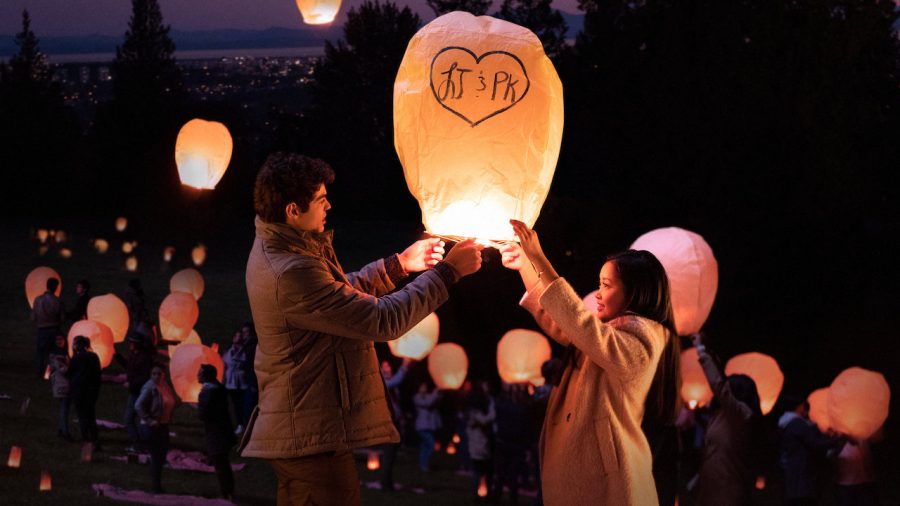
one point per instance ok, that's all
(625, 350)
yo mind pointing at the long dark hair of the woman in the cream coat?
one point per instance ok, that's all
(647, 294)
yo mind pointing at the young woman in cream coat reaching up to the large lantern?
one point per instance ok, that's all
(621, 366)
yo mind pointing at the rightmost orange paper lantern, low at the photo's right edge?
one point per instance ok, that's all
(858, 402)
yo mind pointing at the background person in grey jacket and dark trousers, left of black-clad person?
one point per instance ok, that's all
(154, 407)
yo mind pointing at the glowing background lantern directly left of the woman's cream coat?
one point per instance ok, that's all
(520, 355)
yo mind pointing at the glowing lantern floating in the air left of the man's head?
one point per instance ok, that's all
(202, 153)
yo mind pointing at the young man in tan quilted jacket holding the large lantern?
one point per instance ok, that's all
(320, 390)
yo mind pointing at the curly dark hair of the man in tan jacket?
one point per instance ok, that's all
(286, 178)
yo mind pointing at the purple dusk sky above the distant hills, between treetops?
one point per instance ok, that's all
(110, 17)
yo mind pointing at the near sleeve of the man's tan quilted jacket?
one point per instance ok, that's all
(311, 298)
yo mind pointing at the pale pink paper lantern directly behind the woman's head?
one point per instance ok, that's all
(692, 270)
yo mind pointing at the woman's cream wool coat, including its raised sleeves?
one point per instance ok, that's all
(593, 451)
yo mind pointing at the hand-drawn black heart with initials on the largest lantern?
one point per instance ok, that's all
(476, 88)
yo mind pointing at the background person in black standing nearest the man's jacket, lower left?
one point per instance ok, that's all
(212, 409)
